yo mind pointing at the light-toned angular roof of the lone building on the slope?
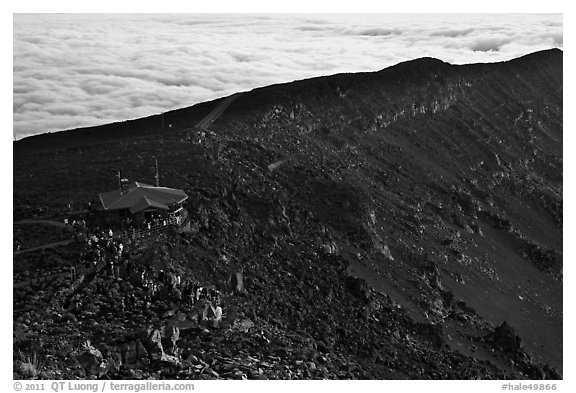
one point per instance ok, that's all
(140, 196)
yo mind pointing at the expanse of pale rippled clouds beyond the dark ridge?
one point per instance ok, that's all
(78, 70)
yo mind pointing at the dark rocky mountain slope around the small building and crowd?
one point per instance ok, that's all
(405, 223)
